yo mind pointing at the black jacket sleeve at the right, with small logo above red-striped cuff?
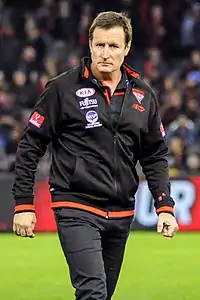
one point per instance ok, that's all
(154, 162)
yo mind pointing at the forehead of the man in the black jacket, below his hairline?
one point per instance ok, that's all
(114, 34)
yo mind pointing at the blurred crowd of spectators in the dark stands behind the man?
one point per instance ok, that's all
(40, 39)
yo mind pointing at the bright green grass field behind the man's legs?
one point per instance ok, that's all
(154, 268)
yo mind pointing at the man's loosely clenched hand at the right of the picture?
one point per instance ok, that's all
(167, 225)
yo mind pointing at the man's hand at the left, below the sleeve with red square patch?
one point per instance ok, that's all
(24, 224)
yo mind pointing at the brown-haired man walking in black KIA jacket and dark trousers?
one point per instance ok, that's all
(101, 119)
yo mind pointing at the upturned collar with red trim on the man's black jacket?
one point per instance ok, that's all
(85, 69)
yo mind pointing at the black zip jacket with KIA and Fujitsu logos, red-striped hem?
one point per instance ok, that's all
(93, 162)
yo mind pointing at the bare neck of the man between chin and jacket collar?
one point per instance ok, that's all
(112, 78)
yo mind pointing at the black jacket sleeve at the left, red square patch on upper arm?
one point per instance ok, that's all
(38, 133)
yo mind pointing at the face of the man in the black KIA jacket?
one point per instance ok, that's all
(108, 49)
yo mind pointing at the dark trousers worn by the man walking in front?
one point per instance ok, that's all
(94, 249)
